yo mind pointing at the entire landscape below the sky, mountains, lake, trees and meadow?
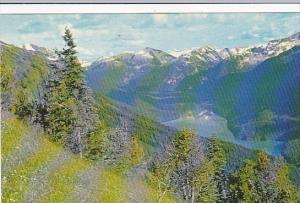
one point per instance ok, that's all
(144, 126)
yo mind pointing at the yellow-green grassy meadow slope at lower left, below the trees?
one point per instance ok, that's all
(35, 169)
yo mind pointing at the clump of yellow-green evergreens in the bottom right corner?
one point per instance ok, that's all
(262, 180)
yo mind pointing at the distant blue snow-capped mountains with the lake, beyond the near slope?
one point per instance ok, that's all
(248, 96)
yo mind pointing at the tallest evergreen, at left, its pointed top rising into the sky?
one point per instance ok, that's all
(64, 101)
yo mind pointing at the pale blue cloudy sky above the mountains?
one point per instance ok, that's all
(100, 35)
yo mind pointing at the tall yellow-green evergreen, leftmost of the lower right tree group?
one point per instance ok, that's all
(178, 168)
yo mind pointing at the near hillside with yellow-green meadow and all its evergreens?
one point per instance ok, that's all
(63, 143)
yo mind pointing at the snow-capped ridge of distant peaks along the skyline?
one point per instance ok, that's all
(246, 56)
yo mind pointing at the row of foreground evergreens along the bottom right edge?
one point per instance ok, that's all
(197, 173)
